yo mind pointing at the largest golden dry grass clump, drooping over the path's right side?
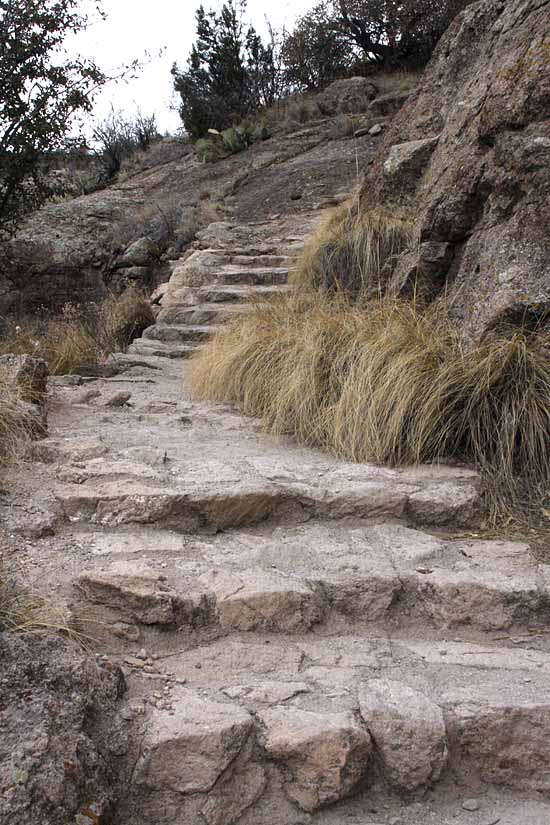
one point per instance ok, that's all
(389, 384)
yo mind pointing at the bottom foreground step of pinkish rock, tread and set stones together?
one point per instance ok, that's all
(424, 721)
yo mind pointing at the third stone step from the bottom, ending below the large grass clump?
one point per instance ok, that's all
(211, 495)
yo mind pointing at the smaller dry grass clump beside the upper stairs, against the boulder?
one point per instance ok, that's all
(355, 251)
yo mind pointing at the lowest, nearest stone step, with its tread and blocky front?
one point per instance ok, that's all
(297, 726)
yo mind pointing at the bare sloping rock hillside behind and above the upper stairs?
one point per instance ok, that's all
(72, 249)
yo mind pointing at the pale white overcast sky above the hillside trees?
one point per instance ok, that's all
(134, 27)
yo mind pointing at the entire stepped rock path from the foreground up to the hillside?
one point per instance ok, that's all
(304, 640)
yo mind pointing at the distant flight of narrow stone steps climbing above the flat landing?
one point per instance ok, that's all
(232, 266)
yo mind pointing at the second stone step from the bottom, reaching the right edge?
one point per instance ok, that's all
(308, 577)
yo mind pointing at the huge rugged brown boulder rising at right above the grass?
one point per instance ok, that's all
(469, 156)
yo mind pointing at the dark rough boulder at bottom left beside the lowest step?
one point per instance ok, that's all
(61, 741)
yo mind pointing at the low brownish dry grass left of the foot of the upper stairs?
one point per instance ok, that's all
(84, 335)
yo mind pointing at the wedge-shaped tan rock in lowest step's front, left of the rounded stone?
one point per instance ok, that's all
(327, 754)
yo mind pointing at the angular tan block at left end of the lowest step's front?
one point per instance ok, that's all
(189, 751)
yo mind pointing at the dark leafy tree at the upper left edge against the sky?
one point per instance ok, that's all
(40, 93)
